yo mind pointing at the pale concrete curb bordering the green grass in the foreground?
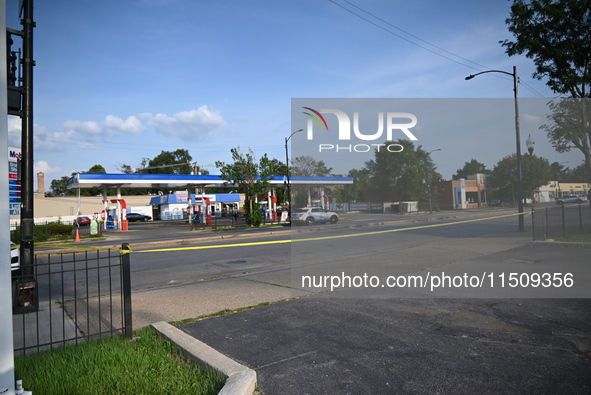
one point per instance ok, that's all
(240, 380)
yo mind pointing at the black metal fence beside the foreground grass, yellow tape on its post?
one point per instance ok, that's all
(72, 298)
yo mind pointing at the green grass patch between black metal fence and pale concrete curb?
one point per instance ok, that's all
(116, 366)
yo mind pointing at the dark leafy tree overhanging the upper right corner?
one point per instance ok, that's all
(556, 34)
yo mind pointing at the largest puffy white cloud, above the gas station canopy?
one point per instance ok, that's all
(189, 125)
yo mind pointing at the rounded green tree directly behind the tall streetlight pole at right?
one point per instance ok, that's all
(536, 172)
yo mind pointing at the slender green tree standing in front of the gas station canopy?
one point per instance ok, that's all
(251, 177)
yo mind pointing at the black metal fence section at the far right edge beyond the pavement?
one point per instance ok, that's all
(561, 221)
